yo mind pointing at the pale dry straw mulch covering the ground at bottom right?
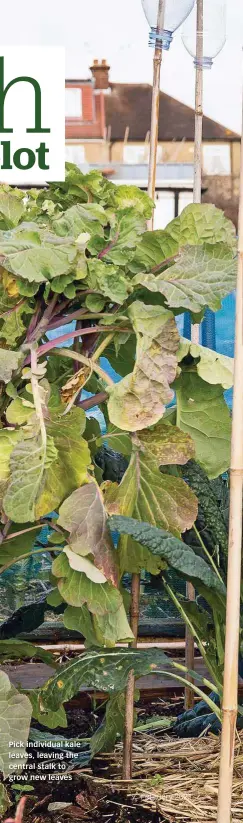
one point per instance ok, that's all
(178, 779)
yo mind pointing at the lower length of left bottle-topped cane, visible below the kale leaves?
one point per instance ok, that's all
(129, 708)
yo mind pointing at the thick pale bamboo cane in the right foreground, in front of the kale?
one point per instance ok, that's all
(230, 689)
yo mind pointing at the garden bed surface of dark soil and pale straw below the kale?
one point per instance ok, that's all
(175, 781)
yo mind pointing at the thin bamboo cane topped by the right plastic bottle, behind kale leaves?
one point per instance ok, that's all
(197, 188)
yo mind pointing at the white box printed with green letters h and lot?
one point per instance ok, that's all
(26, 157)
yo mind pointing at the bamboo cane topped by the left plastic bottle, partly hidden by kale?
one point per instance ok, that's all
(129, 708)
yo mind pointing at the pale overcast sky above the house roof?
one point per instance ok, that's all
(117, 30)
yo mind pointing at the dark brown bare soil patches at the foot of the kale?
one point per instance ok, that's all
(89, 803)
